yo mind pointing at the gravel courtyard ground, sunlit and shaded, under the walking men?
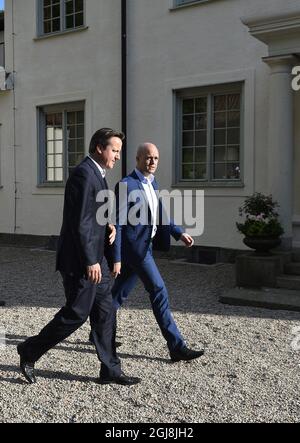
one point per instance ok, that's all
(250, 372)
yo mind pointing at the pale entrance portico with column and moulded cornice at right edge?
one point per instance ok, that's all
(282, 36)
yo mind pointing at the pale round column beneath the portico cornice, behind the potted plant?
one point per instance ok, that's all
(281, 140)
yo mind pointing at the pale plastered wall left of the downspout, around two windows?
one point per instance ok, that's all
(82, 66)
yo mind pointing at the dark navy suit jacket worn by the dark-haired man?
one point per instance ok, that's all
(82, 239)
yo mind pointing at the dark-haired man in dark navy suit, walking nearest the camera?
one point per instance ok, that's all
(83, 266)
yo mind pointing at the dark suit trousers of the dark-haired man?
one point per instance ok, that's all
(82, 300)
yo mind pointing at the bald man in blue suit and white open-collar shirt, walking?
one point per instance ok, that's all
(134, 244)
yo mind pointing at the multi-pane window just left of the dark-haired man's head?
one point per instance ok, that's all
(62, 142)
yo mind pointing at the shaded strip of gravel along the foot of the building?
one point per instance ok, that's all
(27, 279)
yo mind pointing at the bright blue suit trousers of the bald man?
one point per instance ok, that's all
(149, 274)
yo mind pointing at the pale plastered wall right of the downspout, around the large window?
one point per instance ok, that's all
(202, 45)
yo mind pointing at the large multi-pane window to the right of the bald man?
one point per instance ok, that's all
(209, 136)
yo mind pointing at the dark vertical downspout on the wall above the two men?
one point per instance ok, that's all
(124, 83)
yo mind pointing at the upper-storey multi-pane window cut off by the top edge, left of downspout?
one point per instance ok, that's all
(60, 15)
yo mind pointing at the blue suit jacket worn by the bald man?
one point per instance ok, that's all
(132, 242)
